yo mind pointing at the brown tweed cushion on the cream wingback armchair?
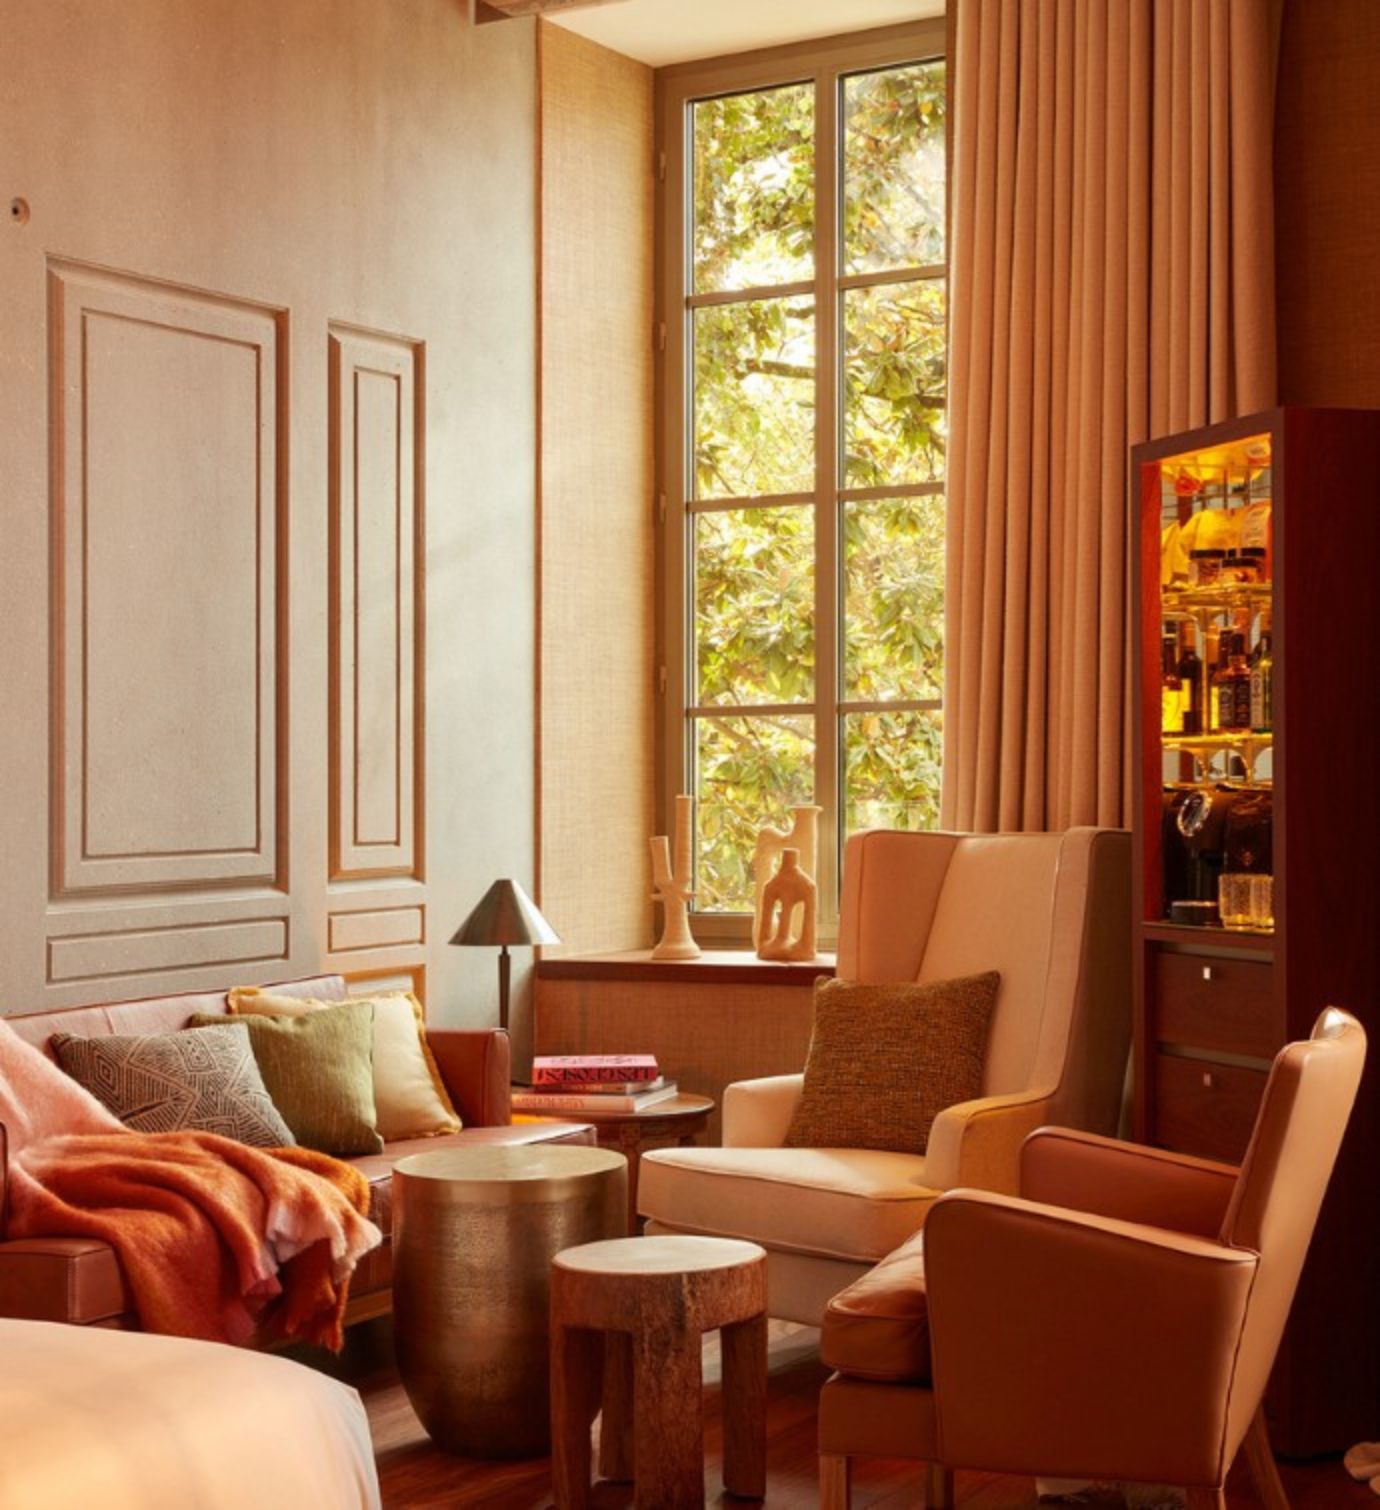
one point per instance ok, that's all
(887, 1059)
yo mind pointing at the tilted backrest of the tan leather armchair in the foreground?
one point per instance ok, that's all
(1274, 1210)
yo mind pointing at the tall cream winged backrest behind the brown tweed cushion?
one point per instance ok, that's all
(1050, 911)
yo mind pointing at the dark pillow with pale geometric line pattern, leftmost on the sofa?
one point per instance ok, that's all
(179, 1082)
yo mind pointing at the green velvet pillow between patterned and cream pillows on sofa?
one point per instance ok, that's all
(319, 1071)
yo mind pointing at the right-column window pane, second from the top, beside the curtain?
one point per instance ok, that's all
(895, 372)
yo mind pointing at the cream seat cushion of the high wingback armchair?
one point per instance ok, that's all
(828, 1203)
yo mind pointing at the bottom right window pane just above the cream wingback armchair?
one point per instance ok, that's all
(892, 771)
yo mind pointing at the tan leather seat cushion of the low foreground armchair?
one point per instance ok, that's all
(879, 1328)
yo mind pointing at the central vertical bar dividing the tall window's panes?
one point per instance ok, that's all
(828, 596)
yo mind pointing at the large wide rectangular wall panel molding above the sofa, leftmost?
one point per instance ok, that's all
(168, 510)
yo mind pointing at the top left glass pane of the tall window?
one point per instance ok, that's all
(754, 190)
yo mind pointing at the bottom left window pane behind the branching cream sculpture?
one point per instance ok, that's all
(750, 774)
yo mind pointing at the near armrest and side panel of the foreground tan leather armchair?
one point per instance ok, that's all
(1077, 1346)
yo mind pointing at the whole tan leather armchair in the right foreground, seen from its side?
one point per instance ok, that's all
(1118, 1320)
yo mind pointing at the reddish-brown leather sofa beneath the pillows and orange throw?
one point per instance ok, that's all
(79, 1281)
